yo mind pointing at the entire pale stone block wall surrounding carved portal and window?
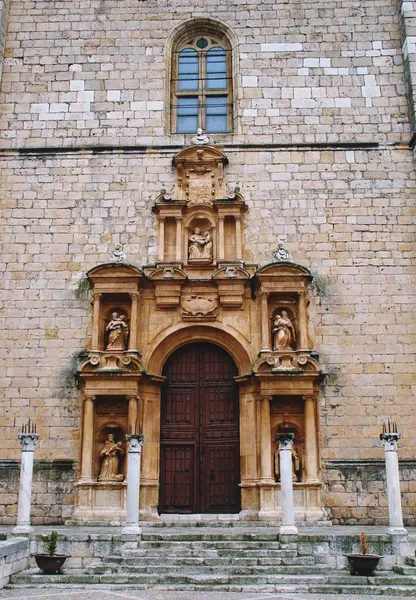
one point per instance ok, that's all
(320, 151)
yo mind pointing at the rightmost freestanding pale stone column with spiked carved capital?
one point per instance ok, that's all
(390, 440)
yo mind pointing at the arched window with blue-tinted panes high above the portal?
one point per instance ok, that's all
(201, 84)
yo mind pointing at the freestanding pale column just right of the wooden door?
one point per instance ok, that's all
(285, 441)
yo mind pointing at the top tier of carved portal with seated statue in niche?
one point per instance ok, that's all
(200, 221)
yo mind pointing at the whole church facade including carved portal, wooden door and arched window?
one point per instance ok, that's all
(208, 226)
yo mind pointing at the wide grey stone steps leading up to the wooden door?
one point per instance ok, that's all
(226, 559)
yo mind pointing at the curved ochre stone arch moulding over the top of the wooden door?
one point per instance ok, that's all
(165, 345)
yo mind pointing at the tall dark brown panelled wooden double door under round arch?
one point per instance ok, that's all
(200, 450)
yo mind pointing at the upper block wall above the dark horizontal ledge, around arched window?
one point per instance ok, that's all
(94, 72)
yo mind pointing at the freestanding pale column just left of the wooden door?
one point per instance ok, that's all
(134, 452)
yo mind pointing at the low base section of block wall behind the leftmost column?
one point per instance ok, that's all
(52, 491)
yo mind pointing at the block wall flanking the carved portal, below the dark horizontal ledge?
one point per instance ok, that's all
(346, 214)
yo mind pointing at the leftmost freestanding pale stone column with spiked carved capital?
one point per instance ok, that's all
(28, 442)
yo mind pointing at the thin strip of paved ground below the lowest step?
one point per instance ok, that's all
(94, 594)
